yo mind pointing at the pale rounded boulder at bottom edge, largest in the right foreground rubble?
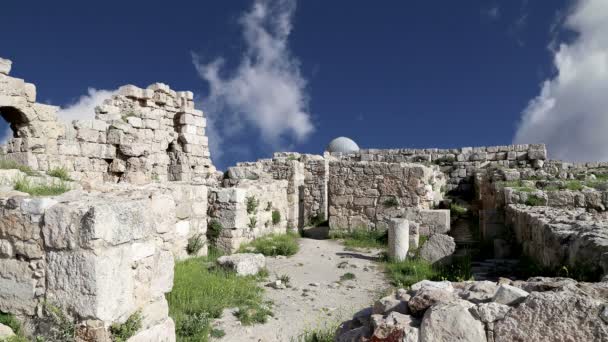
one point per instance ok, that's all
(451, 321)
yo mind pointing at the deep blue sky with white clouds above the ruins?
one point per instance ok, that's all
(393, 74)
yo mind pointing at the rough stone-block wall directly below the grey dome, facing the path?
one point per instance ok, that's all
(367, 194)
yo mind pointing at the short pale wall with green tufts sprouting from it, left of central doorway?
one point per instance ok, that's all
(240, 224)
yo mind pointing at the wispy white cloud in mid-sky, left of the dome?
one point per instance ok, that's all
(266, 90)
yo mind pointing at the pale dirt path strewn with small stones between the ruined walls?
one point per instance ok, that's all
(316, 297)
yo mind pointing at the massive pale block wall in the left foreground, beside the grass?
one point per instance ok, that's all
(100, 255)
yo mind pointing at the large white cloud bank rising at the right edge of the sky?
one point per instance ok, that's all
(571, 113)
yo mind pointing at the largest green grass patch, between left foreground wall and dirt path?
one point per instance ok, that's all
(200, 294)
